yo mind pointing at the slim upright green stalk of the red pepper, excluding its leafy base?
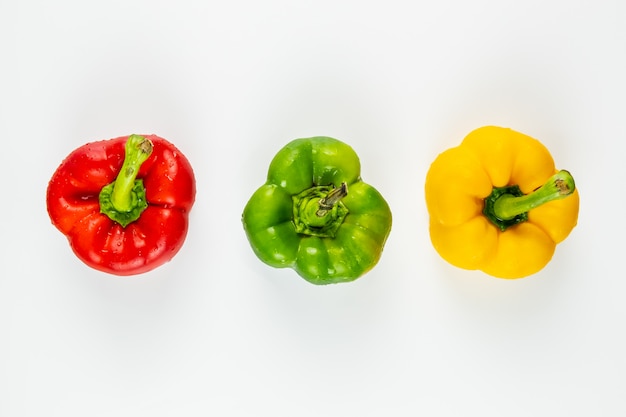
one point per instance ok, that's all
(137, 150)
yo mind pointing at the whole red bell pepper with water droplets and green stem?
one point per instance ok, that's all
(123, 203)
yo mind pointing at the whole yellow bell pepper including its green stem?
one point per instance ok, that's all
(497, 203)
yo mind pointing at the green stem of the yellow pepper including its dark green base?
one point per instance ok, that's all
(507, 206)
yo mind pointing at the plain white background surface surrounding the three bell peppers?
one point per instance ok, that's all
(215, 331)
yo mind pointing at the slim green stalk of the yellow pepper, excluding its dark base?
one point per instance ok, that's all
(558, 186)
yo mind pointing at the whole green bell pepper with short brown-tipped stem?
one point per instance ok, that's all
(315, 214)
